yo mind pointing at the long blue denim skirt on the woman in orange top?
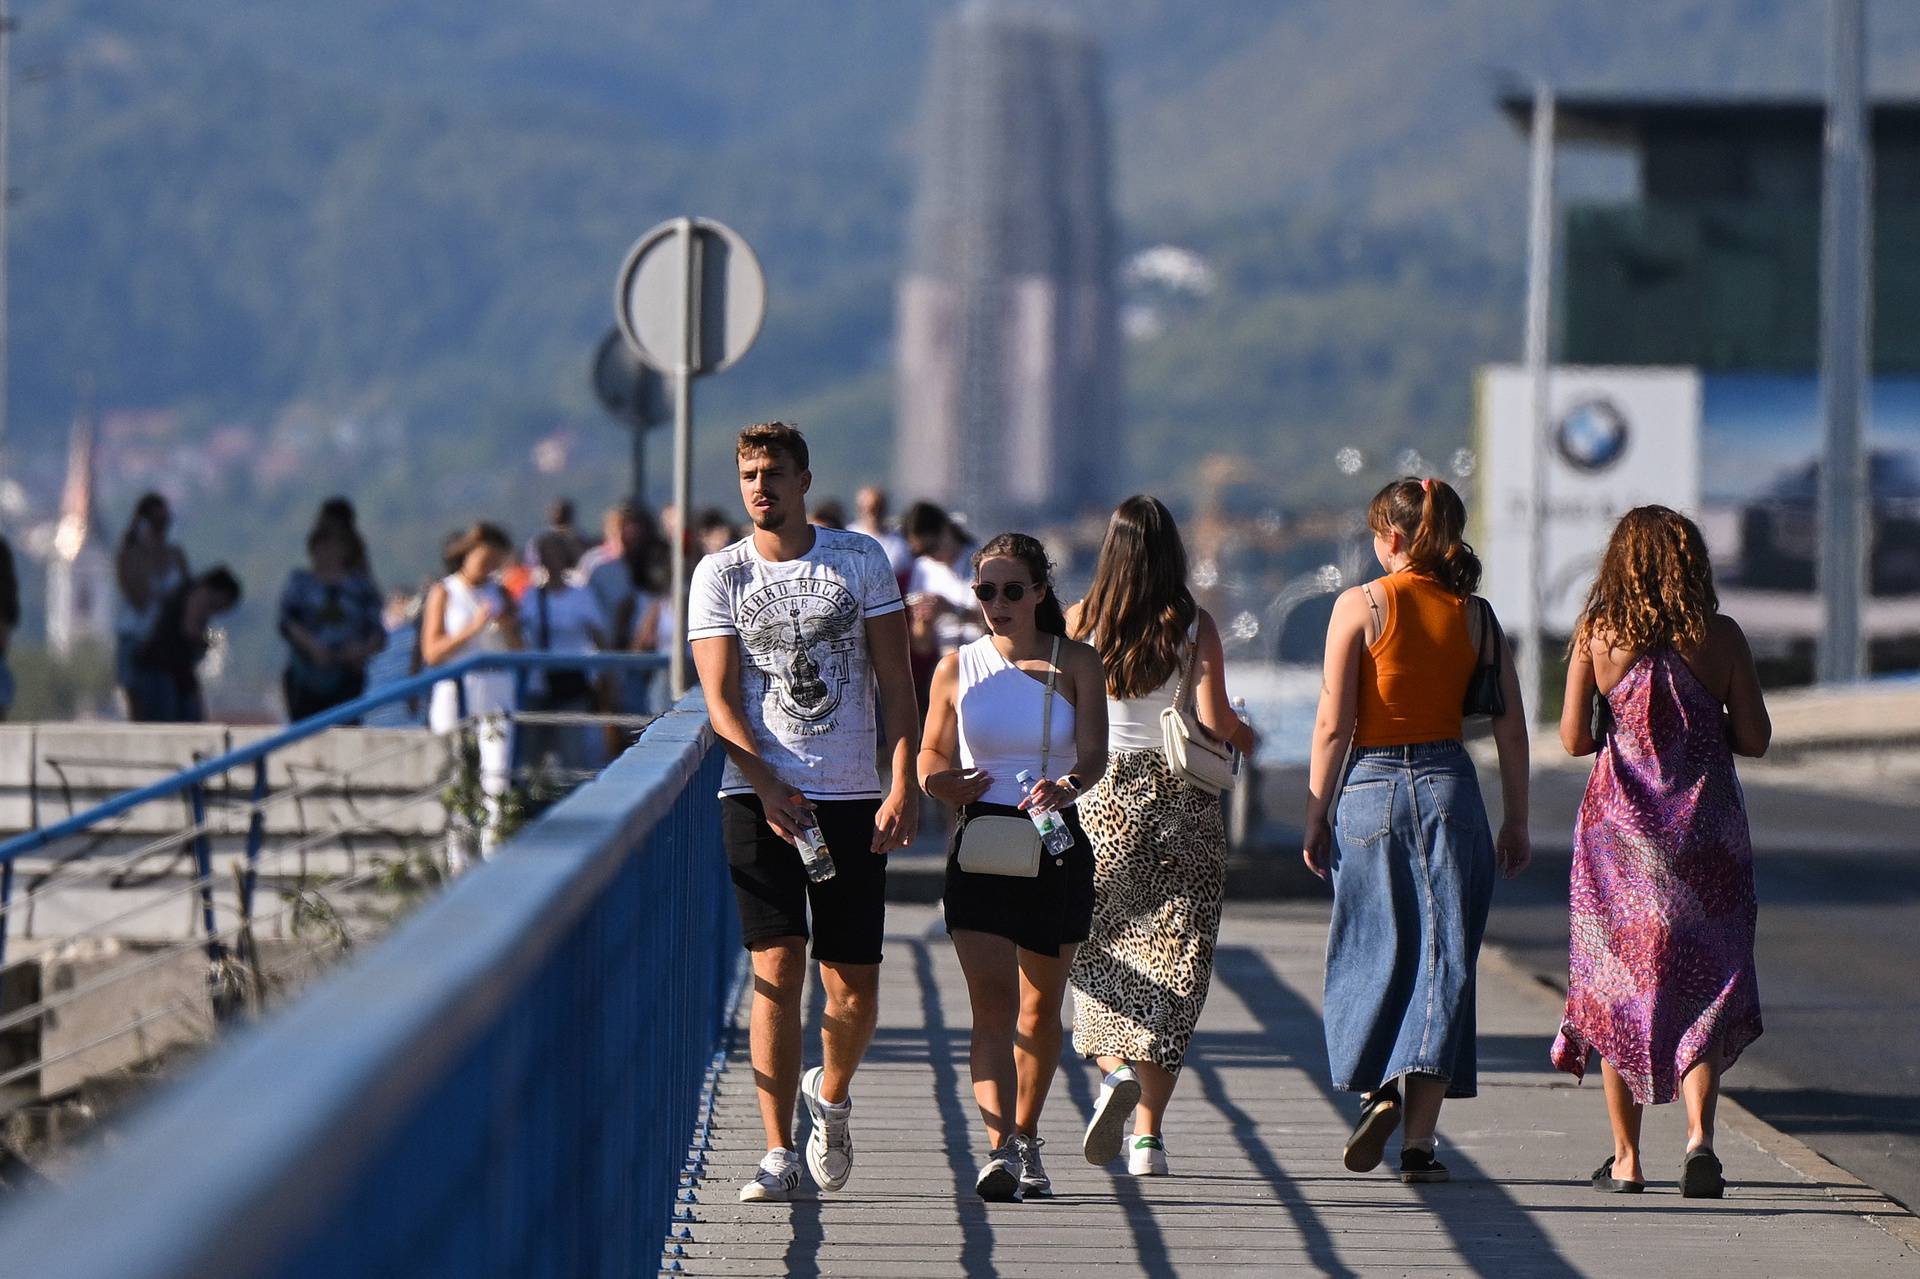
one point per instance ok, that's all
(1412, 884)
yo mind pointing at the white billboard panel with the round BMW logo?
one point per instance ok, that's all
(1616, 439)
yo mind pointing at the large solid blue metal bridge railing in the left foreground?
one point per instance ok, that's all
(504, 1088)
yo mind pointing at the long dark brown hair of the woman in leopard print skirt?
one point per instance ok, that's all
(1140, 608)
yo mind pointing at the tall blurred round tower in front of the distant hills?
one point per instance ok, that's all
(1009, 350)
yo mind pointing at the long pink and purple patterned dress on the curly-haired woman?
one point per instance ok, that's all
(1662, 953)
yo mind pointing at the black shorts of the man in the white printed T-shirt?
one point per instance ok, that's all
(773, 890)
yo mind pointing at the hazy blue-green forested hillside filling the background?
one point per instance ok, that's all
(368, 245)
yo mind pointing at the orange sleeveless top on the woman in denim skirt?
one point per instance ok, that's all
(1414, 677)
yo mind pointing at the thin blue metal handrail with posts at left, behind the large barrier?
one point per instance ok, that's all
(195, 783)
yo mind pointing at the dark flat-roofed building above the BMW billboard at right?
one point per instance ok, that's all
(1714, 260)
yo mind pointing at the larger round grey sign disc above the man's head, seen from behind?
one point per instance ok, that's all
(690, 297)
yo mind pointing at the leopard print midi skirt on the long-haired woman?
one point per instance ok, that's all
(1161, 865)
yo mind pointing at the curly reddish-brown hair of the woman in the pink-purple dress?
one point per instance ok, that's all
(1654, 587)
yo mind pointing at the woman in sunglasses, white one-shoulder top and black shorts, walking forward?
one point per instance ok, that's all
(990, 721)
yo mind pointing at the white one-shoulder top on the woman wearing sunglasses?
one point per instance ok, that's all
(1001, 713)
